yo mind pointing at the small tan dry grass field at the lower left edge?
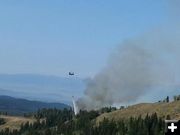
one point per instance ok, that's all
(14, 122)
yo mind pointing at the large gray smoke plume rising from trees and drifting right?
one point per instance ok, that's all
(137, 66)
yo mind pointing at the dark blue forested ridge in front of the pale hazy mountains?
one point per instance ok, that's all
(17, 106)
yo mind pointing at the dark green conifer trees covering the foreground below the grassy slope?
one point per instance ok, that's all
(62, 122)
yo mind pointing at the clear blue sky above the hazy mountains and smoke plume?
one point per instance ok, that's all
(53, 37)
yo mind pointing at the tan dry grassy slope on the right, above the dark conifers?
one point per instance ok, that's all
(162, 110)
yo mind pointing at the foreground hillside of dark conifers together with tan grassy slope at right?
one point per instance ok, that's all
(138, 119)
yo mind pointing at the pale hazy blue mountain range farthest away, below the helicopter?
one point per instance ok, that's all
(41, 87)
